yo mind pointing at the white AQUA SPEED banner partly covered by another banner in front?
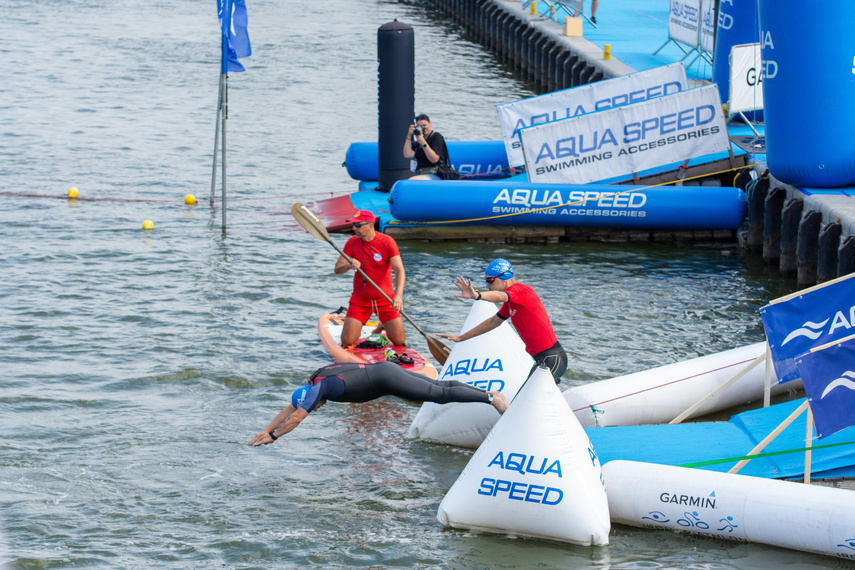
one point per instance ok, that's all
(596, 96)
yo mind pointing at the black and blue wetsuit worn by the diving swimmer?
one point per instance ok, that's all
(364, 382)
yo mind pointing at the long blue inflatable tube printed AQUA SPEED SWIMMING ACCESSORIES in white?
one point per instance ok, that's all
(506, 203)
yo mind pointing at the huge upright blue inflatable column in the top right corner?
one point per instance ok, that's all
(808, 82)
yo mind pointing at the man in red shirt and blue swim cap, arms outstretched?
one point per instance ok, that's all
(526, 311)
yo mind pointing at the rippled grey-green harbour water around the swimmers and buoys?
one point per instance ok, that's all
(138, 363)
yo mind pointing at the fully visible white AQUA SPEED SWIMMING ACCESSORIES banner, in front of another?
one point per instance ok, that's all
(626, 139)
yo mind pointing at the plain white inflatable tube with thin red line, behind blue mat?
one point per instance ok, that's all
(659, 395)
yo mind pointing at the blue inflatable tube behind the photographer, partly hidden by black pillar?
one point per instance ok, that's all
(475, 159)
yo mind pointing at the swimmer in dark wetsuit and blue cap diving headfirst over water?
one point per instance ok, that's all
(364, 382)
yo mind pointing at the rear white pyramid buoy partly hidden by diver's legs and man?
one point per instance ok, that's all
(494, 361)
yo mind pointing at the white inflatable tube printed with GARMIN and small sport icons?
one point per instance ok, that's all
(736, 507)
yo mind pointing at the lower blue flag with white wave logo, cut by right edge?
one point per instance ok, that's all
(829, 378)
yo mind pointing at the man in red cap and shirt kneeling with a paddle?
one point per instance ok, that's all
(377, 255)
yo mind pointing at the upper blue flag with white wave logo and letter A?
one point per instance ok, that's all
(808, 319)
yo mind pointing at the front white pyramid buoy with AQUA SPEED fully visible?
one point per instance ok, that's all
(535, 475)
